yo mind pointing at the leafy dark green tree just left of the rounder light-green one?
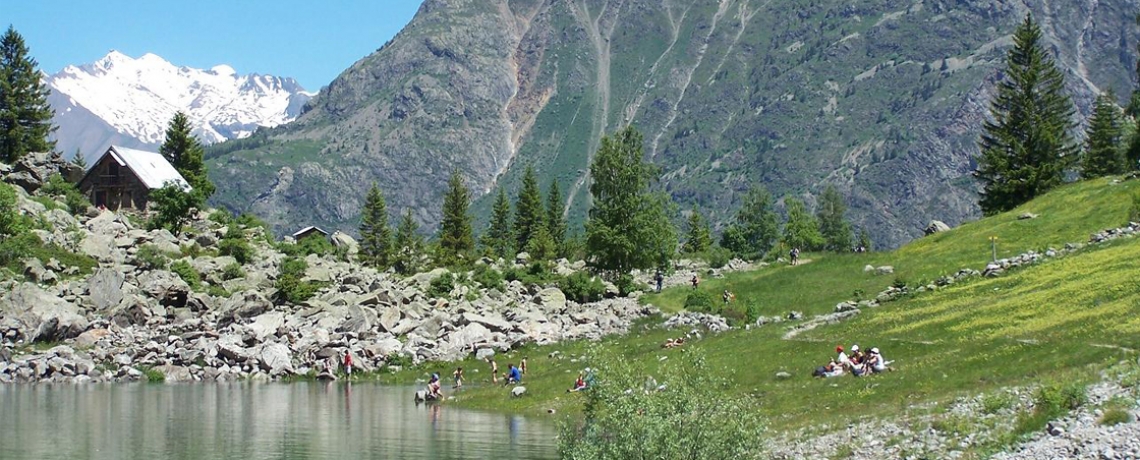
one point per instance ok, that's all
(756, 227)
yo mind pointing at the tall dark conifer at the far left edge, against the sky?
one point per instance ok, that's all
(26, 117)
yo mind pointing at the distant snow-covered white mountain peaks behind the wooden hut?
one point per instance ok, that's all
(128, 102)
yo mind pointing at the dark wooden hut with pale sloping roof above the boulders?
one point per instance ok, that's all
(123, 178)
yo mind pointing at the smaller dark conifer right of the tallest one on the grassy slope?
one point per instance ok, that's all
(1103, 141)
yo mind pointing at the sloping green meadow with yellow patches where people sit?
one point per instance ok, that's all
(1062, 319)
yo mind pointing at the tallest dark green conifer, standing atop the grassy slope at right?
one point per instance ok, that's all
(1027, 147)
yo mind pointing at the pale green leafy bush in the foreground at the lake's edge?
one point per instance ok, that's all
(697, 417)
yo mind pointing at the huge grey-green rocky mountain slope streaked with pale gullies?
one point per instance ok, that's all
(884, 100)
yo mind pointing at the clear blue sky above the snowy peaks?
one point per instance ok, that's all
(310, 40)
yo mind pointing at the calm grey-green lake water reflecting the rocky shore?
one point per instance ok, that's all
(248, 422)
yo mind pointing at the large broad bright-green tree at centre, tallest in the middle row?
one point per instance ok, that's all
(629, 226)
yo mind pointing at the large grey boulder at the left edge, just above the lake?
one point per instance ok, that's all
(42, 316)
